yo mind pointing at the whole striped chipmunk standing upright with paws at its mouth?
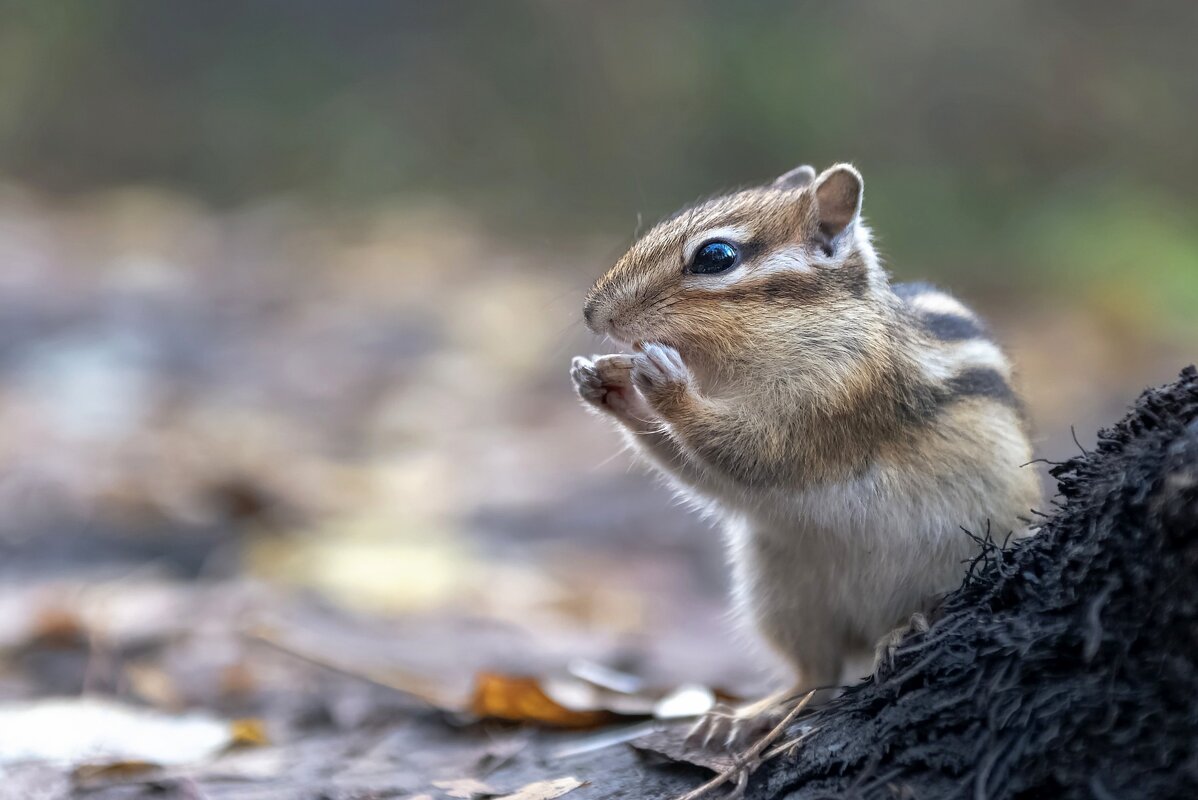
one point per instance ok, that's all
(845, 432)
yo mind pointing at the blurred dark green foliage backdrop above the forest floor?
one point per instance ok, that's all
(1000, 141)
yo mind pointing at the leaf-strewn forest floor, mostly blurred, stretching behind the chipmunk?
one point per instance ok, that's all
(320, 475)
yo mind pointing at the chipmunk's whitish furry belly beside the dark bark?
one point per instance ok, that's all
(826, 573)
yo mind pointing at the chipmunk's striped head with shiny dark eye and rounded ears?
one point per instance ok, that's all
(780, 271)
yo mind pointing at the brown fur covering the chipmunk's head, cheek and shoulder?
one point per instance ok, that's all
(803, 374)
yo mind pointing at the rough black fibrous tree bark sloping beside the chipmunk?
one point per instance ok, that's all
(1064, 668)
